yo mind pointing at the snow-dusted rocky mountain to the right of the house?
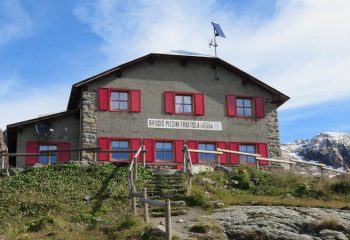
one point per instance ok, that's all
(330, 148)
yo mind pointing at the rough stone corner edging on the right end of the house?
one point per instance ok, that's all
(273, 138)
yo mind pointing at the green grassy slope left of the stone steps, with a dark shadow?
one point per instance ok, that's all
(68, 202)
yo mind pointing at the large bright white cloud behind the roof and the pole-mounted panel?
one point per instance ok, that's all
(302, 49)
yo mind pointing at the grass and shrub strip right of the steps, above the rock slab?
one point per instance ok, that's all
(247, 186)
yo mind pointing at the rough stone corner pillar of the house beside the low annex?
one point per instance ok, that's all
(89, 125)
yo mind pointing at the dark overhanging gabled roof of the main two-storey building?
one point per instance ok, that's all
(280, 98)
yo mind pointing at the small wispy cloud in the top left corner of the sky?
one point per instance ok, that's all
(15, 22)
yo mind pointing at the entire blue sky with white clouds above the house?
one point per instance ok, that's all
(300, 47)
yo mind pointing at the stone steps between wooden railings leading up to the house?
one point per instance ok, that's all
(167, 184)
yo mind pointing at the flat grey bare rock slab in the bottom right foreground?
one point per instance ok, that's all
(271, 222)
